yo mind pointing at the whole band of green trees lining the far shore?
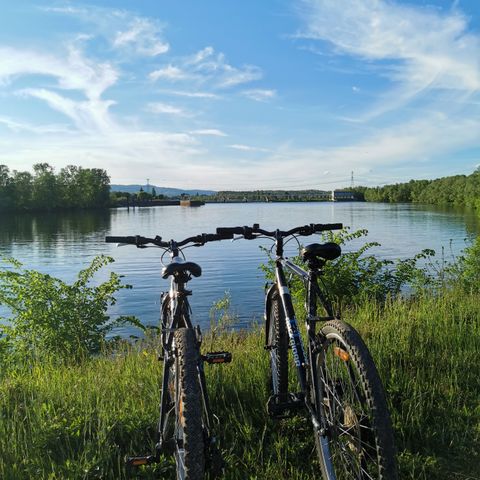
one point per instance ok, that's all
(75, 187)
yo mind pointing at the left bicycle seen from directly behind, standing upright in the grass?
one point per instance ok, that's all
(185, 424)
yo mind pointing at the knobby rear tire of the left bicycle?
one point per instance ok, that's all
(188, 432)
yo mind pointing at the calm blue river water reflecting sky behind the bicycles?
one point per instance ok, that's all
(62, 244)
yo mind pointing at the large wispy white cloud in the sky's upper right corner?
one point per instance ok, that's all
(424, 48)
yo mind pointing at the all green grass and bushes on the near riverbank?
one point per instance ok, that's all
(73, 404)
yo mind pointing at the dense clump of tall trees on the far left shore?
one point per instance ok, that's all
(72, 188)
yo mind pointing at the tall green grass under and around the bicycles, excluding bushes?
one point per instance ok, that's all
(79, 421)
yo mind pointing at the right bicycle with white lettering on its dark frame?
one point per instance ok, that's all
(339, 384)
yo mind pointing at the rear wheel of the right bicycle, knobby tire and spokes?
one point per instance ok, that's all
(359, 441)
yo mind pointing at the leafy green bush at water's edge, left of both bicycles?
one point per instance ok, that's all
(52, 318)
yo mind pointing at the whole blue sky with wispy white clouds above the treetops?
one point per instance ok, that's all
(271, 94)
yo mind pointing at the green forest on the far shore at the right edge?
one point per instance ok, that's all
(461, 190)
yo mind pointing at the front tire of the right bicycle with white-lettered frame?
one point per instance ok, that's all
(278, 344)
